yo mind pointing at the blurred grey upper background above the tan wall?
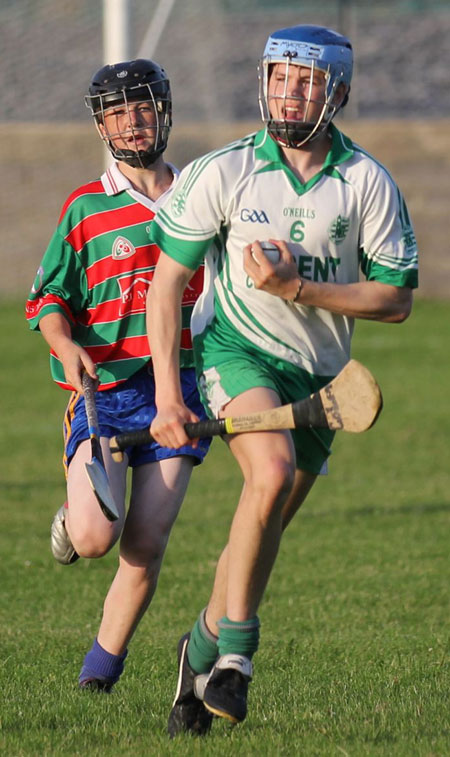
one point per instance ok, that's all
(50, 49)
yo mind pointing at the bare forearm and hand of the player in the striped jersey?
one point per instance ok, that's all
(57, 333)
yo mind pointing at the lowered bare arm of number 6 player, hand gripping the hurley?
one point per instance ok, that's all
(164, 332)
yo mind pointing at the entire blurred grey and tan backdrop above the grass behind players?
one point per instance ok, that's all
(399, 106)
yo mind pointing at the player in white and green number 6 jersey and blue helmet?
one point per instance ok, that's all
(269, 332)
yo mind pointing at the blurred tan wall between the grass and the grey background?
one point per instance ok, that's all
(41, 164)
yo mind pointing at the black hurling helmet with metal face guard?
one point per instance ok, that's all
(132, 81)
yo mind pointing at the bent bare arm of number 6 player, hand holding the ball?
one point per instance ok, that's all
(370, 300)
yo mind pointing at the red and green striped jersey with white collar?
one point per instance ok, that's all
(96, 272)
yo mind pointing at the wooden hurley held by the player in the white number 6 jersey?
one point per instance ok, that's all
(350, 402)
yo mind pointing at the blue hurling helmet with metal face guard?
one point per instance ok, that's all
(319, 49)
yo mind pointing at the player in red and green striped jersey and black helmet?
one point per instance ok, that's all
(88, 301)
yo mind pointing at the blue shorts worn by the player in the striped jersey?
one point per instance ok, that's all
(127, 407)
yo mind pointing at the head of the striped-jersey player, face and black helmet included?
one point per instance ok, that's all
(120, 91)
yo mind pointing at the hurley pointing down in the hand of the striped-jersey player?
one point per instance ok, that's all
(96, 468)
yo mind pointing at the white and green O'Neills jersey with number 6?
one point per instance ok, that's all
(349, 217)
